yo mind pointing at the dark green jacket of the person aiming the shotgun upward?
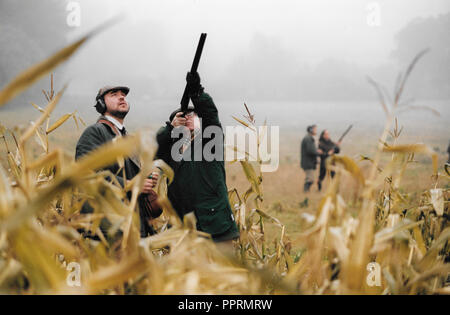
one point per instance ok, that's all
(199, 186)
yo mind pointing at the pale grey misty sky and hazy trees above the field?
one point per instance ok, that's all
(292, 62)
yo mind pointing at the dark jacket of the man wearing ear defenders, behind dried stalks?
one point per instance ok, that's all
(95, 136)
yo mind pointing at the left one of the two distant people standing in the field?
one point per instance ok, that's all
(309, 154)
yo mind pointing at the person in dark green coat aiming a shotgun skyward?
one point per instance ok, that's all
(199, 183)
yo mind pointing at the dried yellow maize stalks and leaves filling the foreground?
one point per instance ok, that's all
(42, 250)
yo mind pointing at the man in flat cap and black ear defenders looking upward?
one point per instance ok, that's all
(113, 107)
